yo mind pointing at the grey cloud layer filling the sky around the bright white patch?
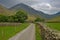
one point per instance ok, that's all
(55, 4)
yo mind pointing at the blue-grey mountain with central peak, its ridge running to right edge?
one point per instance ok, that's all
(32, 11)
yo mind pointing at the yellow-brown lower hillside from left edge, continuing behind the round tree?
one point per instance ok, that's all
(5, 11)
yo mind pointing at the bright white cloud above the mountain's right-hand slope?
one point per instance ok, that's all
(46, 7)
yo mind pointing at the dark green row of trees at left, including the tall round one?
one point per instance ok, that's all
(18, 17)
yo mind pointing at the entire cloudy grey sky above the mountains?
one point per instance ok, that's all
(47, 6)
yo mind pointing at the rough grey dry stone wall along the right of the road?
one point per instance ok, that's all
(48, 34)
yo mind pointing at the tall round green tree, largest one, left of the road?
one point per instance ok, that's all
(21, 16)
